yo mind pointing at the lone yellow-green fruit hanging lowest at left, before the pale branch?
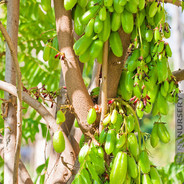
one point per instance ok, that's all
(58, 142)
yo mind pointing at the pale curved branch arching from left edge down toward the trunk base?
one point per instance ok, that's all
(50, 121)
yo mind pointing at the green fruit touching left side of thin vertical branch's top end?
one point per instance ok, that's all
(95, 49)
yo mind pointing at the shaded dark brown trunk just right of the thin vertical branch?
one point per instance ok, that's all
(115, 66)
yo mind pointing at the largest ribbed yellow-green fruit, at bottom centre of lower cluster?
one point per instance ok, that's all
(119, 168)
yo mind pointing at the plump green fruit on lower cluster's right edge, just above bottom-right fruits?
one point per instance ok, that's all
(144, 162)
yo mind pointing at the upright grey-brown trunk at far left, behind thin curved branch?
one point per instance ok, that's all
(10, 76)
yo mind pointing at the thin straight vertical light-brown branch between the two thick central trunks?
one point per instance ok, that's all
(104, 85)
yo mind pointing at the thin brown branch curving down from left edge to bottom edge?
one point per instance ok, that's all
(19, 102)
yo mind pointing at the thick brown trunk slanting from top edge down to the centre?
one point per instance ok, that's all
(76, 89)
